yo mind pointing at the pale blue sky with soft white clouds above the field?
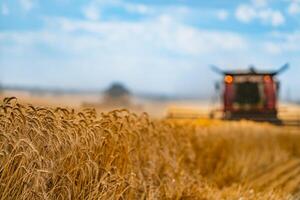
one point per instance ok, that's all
(150, 45)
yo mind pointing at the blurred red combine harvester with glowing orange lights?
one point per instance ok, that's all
(250, 94)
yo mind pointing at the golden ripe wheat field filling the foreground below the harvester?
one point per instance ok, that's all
(60, 153)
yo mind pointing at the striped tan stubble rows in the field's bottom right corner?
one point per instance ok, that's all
(279, 176)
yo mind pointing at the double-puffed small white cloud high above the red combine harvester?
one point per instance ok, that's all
(247, 13)
